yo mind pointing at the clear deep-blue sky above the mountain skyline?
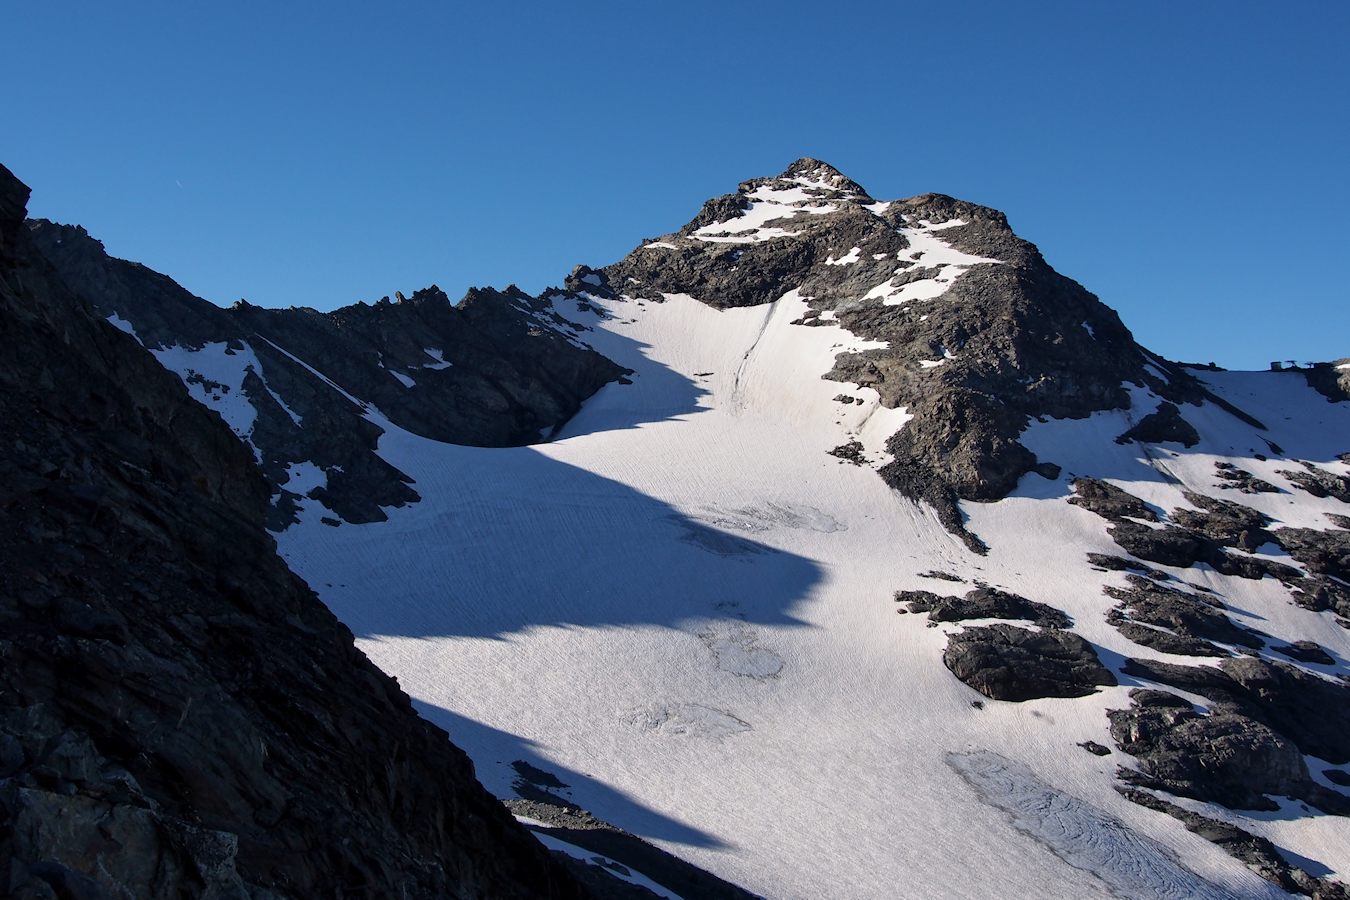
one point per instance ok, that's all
(1190, 163)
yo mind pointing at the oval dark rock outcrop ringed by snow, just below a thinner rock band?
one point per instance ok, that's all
(1009, 663)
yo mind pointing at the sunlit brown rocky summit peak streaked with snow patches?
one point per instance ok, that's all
(1005, 337)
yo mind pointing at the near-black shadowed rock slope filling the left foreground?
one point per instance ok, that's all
(180, 716)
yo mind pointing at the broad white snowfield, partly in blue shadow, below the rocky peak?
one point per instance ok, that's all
(682, 608)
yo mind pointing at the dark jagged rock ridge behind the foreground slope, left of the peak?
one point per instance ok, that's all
(496, 370)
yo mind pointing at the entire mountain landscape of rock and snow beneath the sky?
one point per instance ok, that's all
(820, 546)
